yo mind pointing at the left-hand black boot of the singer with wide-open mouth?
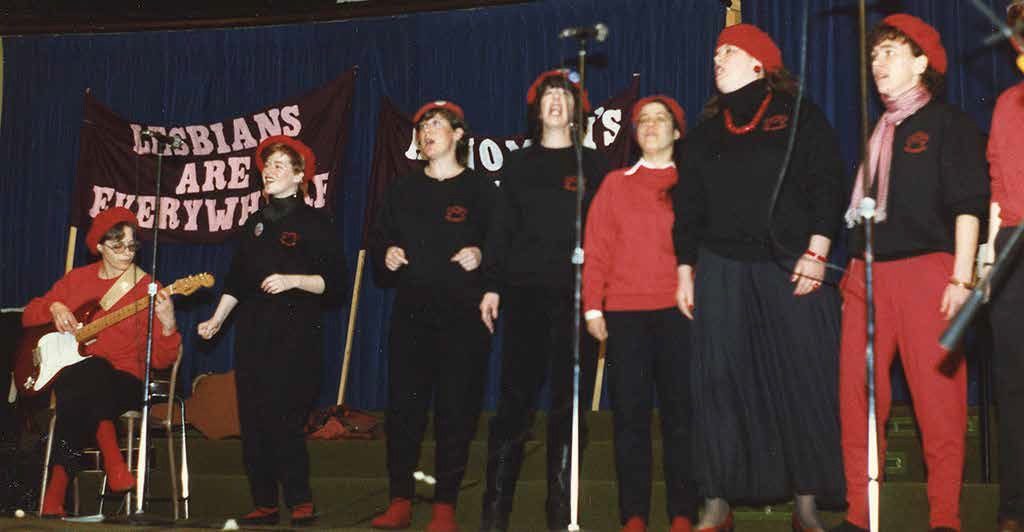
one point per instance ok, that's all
(504, 462)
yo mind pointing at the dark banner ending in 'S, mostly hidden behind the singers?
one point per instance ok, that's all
(396, 154)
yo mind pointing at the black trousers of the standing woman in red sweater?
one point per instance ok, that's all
(650, 350)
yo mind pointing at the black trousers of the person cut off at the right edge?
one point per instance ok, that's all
(1008, 339)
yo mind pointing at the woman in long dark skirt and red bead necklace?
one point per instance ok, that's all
(765, 328)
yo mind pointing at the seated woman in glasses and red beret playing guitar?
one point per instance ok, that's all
(95, 392)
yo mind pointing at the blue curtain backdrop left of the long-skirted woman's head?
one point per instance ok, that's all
(484, 59)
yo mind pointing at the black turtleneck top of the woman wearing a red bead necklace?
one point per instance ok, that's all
(727, 182)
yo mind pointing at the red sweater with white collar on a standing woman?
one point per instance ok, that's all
(630, 259)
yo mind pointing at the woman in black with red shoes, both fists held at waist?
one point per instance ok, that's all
(428, 242)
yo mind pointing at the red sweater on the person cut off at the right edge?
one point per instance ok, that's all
(1007, 165)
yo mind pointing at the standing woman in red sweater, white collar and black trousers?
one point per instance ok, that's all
(630, 281)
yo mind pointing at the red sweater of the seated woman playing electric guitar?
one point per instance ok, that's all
(122, 344)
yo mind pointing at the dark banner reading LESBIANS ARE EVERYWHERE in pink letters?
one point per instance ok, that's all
(209, 185)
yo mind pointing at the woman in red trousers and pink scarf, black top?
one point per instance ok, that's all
(927, 172)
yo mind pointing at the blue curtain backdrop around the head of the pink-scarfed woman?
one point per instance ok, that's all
(976, 76)
